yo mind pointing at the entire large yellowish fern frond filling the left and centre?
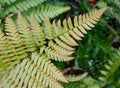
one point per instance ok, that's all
(26, 49)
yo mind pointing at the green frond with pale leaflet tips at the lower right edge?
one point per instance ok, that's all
(110, 68)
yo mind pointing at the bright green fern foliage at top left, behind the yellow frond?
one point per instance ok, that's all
(27, 6)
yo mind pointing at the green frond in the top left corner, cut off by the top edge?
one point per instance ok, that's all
(20, 5)
